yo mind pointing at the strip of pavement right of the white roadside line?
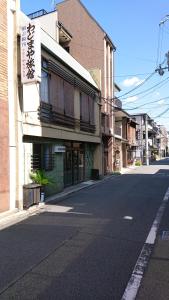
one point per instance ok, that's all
(155, 284)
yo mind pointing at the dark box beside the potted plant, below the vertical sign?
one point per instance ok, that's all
(31, 194)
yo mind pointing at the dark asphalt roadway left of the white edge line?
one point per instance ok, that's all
(87, 250)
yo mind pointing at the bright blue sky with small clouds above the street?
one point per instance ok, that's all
(141, 45)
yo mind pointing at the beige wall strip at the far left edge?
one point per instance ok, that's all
(4, 126)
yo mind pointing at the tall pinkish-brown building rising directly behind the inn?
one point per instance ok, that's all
(93, 48)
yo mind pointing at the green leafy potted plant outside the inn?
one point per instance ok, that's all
(42, 179)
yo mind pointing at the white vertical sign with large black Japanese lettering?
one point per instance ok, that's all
(30, 52)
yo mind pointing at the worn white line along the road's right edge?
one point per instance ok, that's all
(137, 275)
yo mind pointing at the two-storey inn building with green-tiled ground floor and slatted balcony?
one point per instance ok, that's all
(60, 114)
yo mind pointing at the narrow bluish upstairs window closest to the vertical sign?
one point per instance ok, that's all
(44, 85)
